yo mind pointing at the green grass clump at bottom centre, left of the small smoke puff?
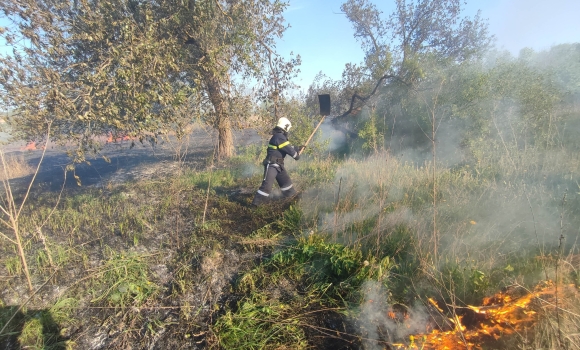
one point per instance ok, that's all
(281, 295)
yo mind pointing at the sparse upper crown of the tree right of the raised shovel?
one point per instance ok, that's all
(394, 47)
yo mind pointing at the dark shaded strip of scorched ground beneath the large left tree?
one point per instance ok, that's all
(128, 160)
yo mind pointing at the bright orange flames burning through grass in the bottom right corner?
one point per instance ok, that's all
(509, 318)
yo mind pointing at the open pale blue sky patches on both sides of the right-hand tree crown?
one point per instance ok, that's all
(323, 37)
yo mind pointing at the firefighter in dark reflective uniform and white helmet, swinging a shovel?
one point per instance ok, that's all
(278, 148)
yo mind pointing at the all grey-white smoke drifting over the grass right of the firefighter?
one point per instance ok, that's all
(504, 196)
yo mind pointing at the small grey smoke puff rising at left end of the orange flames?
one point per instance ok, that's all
(378, 322)
